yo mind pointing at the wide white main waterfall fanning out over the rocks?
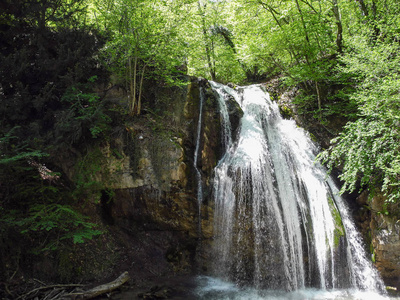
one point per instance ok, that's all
(278, 223)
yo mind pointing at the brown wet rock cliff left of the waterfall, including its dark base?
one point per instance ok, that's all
(149, 169)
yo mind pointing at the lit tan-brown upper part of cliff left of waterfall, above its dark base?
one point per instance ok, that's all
(153, 177)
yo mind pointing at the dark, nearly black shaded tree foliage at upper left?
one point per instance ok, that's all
(32, 89)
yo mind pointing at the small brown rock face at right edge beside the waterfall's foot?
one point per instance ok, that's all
(385, 234)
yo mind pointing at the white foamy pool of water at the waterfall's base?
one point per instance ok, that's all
(210, 288)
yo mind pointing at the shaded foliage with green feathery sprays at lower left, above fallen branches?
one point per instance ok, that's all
(36, 212)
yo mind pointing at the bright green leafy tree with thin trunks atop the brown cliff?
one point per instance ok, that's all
(145, 42)
